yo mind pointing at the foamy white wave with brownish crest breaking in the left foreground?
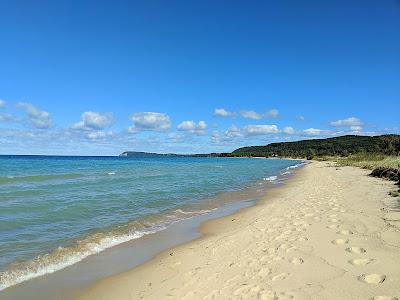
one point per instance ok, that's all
(66, 256)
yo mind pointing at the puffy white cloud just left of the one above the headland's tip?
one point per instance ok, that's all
(91, 120)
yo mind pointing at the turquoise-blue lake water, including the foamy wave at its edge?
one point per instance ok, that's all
(55, 211)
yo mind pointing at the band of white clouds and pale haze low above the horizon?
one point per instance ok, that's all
(36, 130)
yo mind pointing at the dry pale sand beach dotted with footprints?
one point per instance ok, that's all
(329, 233)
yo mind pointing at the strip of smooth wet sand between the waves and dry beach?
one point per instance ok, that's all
(66, 279)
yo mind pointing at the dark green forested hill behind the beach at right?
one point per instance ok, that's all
(336, 146)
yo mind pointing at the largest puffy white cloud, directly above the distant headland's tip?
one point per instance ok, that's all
(150, 121)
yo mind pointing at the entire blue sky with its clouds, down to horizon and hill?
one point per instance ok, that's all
(99, 78)
